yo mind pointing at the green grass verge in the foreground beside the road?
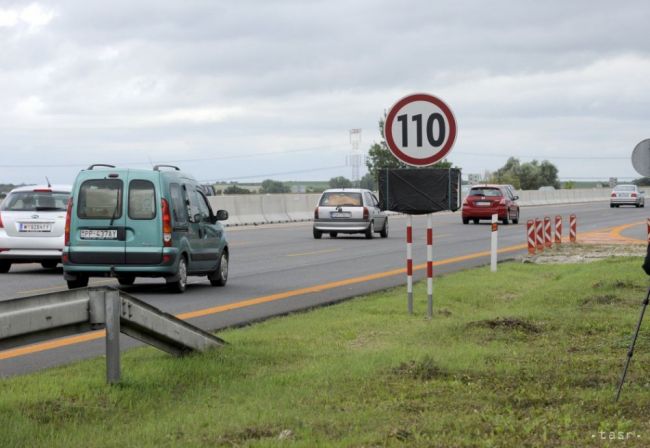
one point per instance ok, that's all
(529, 356)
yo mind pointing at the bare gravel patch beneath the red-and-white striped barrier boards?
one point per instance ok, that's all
(584, 253)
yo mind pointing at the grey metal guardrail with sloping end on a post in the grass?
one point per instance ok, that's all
(31, 319)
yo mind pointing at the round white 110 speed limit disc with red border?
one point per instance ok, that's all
(420, 129)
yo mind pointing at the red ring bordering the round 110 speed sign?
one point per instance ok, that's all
(395, 149)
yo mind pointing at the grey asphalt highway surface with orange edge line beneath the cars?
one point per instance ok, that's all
(276, 269)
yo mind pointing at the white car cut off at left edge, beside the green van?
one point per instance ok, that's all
(32, 225)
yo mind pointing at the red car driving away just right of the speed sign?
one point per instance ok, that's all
(483, 201)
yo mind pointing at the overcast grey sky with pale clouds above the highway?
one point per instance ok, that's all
(249, 90)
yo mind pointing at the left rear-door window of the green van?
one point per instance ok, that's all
(100, 199)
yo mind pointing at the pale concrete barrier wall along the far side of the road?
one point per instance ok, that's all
(256, 209)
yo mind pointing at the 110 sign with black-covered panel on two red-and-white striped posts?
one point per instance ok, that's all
(420, 130)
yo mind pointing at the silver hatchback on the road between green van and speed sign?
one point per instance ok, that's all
(349, 210)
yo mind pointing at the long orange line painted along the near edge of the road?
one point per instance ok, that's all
(67, 341)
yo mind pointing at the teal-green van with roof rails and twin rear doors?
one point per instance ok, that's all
(129, 223)
